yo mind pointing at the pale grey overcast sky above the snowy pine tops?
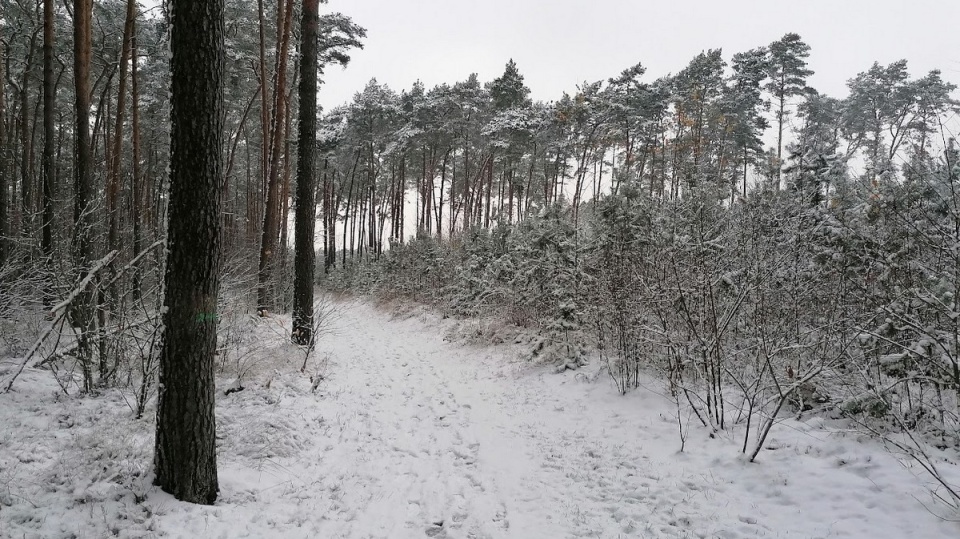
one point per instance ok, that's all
(559, 44)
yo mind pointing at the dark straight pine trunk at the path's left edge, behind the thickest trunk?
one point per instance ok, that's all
(304, 260)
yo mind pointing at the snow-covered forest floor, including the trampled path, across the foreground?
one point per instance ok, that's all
(410, 435)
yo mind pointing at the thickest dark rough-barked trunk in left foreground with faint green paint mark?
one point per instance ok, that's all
(186, 457)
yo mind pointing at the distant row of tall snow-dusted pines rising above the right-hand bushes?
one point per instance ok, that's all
(457, 157)
